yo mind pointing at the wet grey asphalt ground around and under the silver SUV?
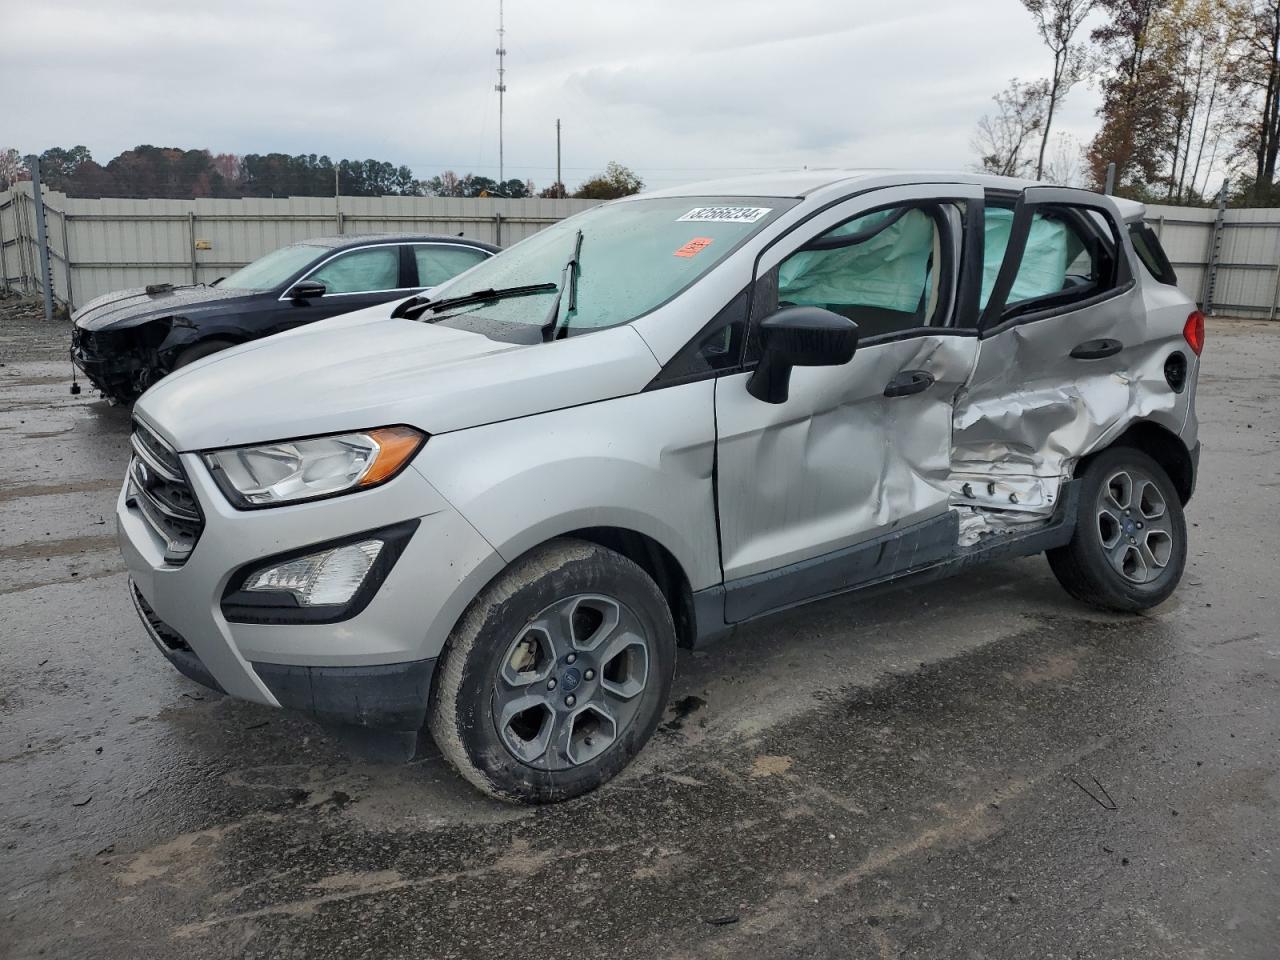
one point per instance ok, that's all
(976, 769)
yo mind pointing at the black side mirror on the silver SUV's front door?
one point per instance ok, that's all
(799, 337)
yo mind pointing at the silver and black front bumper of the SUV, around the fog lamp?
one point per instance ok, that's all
(373, 670)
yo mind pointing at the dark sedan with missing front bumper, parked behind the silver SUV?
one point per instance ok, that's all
(126, 341)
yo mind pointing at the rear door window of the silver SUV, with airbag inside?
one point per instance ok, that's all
(1067, 259)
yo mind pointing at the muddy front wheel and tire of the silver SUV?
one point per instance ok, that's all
(556, 676)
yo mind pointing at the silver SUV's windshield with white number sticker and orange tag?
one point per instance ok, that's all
(636, 257)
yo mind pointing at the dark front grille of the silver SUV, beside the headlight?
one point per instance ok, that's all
(159, 490)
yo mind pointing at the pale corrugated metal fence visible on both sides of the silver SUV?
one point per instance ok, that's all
(1228, 259)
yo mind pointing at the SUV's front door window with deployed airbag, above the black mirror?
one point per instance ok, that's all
(880, 271)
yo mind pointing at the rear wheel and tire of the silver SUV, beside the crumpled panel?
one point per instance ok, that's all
(1118, 560)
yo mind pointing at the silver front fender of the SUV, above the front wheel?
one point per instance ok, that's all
(641, 463)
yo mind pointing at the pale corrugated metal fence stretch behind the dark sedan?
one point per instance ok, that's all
(98, 246)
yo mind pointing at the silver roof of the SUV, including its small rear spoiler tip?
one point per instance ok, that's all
(799, 184)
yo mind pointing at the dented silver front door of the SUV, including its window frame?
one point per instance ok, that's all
(857, 451)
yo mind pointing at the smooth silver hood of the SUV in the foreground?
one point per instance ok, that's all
(365, 369)
